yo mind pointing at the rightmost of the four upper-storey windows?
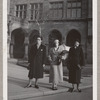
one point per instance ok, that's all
(74, 9)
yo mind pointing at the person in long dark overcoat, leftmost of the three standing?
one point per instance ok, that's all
(37, 57)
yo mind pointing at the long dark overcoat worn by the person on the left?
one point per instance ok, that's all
(36, 59)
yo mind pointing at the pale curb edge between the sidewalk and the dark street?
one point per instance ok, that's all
(41, 93)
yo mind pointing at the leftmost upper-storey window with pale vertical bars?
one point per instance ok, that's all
(21, 11)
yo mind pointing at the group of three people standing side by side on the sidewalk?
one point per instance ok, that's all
(37, 57)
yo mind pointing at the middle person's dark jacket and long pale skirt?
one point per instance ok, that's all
(56, 71)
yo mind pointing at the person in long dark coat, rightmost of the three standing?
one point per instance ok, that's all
(75, 64)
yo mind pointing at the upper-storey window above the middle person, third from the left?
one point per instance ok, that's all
(56, 10)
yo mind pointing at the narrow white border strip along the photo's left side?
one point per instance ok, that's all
(5, 94)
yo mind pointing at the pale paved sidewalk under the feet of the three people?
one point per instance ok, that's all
(17, 80)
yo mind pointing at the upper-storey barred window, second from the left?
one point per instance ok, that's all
(36, 11)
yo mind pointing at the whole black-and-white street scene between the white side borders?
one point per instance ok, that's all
(50, 49)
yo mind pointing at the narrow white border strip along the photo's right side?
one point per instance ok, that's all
(94, 49)
